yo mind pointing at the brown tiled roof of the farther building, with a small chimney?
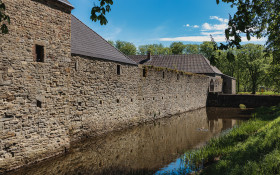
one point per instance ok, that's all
(187, 63)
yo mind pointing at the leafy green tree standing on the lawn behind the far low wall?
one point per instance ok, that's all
(250, 65)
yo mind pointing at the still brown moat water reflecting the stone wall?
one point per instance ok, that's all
(150, 148)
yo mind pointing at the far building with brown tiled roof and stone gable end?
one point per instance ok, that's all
(195, 63)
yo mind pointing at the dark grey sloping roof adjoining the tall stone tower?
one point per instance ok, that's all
(85, 41)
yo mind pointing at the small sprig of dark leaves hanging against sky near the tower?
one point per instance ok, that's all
(99, 11)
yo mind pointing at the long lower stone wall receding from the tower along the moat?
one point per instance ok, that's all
(102, 101)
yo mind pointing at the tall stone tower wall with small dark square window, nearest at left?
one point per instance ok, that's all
(27, 132)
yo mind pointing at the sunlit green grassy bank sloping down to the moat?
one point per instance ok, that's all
(252, 148)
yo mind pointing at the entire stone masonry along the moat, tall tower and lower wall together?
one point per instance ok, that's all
(44, 107)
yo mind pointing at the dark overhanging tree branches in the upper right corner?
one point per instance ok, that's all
(255, 18)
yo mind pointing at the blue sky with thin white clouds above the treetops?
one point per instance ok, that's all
(160, 21)
